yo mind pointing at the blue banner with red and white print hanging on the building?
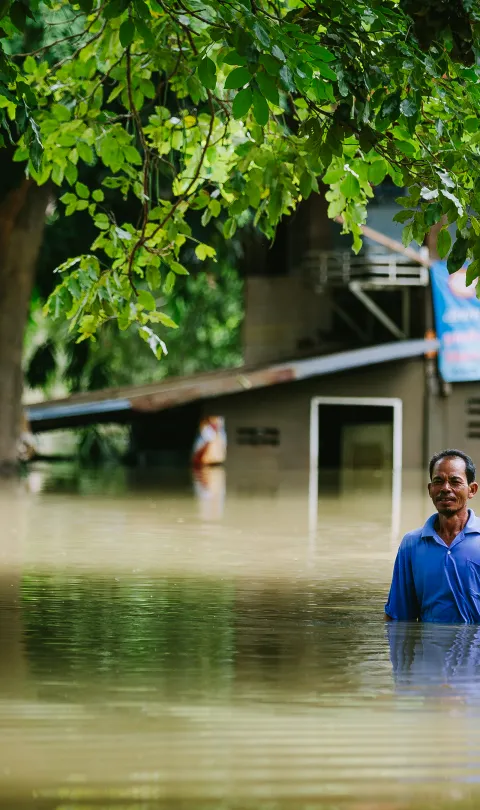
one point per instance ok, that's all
(457, 321)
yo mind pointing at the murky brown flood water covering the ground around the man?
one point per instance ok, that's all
(201, 644)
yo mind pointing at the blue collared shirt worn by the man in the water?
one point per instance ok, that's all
(433, 582)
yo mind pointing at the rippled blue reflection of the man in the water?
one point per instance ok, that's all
(433, 660)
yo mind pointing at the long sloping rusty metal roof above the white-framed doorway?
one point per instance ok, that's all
(175, 391)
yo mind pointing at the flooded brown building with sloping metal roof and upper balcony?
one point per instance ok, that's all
(338, 371)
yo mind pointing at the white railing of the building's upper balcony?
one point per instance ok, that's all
(373, 269)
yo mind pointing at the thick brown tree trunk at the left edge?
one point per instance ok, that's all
(22, 217)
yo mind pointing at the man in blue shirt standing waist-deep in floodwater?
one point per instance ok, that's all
(436, 577)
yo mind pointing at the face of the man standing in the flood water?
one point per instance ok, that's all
(449, 488)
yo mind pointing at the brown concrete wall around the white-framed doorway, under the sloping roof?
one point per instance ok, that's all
(286, 408)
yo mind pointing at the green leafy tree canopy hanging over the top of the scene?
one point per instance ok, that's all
(237, 109)
